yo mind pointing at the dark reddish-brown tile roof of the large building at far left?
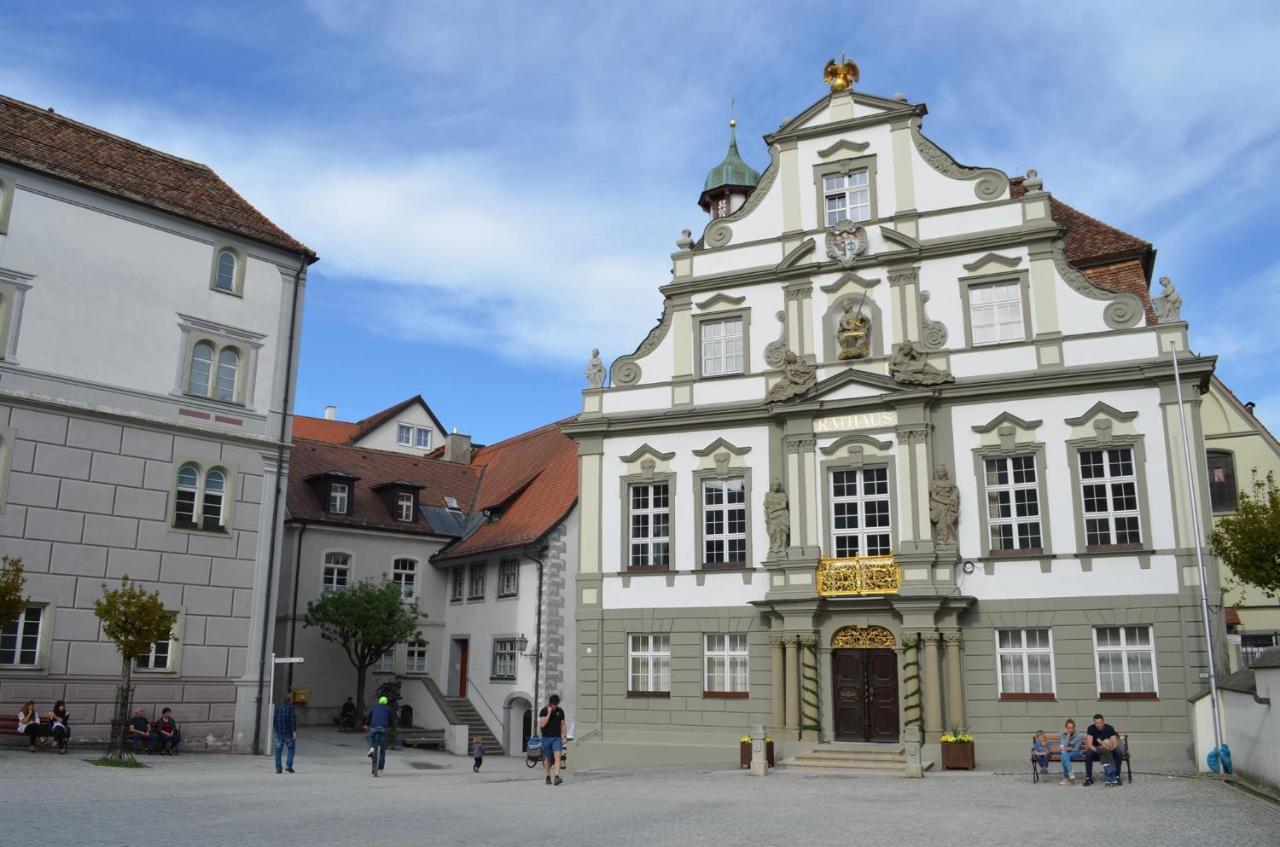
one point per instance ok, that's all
(52, 144)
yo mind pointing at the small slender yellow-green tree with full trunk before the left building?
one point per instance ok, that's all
(134, 619)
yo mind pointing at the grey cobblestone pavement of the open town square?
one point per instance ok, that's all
(435, 799)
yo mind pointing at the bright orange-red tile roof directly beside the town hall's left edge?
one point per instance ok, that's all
(531, 483)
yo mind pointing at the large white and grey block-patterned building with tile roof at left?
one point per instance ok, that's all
(149, 332)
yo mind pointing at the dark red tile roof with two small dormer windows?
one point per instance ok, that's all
(374, 468)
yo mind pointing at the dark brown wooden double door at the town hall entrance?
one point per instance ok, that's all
(865, 684)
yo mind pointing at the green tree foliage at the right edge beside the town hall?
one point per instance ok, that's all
(1249, 541)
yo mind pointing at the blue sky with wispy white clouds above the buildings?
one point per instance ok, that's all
(496, 189)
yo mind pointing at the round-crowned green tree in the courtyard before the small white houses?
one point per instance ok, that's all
(365, 620)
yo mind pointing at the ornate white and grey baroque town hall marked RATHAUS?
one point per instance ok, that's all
(904, 450)
